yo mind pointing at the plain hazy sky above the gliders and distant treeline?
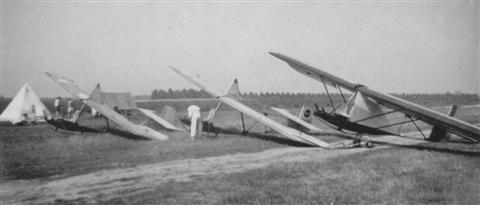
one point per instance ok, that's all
(127, 46)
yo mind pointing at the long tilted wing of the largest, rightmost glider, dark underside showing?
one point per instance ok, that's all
(453, 125)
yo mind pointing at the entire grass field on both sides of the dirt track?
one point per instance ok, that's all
(432, 173)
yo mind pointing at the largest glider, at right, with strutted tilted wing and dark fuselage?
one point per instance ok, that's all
(366, 110)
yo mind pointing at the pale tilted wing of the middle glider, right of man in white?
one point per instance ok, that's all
(285, 131)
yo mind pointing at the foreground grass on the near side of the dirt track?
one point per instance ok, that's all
(388, 176)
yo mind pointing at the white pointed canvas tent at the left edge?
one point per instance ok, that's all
(25, 106)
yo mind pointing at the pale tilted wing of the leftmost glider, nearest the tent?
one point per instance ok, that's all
(77, 92)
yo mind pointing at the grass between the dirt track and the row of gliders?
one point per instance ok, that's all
(39, 152)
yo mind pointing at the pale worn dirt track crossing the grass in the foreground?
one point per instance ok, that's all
(107, 184)
